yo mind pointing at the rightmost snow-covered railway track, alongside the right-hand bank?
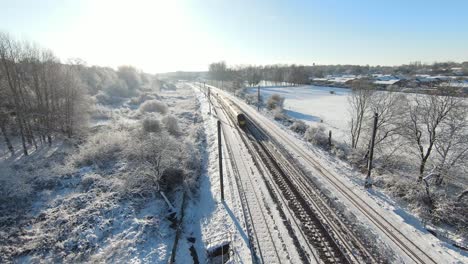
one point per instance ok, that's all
(413, 251)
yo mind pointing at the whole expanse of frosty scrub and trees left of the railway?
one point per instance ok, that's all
(92, 191)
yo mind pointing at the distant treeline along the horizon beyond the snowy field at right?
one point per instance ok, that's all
(299, 74)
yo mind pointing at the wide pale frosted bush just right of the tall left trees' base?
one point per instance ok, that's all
(101, 148)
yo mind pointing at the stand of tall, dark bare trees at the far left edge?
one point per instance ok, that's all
(39, 95)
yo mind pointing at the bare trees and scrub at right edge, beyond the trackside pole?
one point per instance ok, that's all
(421, 148)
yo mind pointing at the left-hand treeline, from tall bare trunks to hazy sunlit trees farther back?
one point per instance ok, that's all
(40, 97)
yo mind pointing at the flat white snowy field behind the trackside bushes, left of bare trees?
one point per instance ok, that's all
(314, 105)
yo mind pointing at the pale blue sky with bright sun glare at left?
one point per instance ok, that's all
(162, 36)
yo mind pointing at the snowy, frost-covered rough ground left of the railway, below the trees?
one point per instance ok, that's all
(62, 210)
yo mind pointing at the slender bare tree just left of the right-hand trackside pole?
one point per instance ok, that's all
(359, 102)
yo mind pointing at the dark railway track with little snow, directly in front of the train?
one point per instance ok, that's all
(323, 227)
